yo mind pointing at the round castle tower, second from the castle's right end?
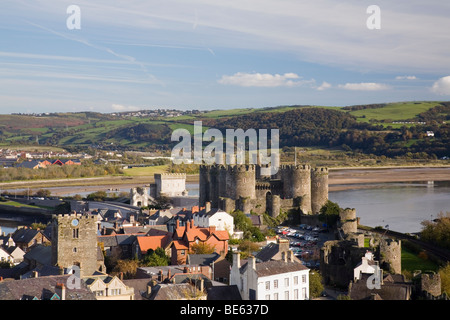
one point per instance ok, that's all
(300, 176)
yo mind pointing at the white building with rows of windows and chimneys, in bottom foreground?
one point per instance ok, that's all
(272, 280)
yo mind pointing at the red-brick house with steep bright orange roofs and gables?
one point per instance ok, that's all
(185, 237)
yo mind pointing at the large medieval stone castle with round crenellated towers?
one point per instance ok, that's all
(245, 188)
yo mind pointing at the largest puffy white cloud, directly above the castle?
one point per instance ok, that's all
(263, 80)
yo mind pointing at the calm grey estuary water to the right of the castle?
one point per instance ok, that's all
(402, 206)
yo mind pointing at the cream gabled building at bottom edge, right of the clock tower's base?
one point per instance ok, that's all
(106, 287)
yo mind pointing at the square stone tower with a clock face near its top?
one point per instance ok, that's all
(74, 242)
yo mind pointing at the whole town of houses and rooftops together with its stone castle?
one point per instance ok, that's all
(247, 236)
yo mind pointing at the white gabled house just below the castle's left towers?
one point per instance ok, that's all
(214, 217)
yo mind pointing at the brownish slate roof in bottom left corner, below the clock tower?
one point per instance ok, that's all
(42, 288)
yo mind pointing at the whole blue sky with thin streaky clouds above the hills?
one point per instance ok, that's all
(209, 54)
